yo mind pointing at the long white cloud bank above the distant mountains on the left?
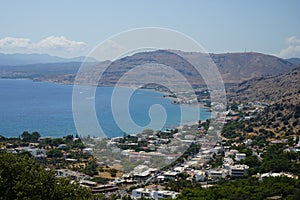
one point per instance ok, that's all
(53, 45)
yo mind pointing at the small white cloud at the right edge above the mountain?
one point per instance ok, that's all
(293, 49)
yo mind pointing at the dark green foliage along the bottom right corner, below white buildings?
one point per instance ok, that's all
(246, 189)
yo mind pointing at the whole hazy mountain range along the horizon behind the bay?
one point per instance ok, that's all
(234, 67)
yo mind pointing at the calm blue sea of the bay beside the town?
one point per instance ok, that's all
(46, 107)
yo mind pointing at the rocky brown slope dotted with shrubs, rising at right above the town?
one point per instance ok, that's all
(281, 117)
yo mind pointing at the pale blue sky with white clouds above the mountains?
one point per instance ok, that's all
(71, 28)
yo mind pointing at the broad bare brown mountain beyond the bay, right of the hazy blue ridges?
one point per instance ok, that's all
(234, 67)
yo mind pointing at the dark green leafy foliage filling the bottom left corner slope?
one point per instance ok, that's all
(22, 178)
